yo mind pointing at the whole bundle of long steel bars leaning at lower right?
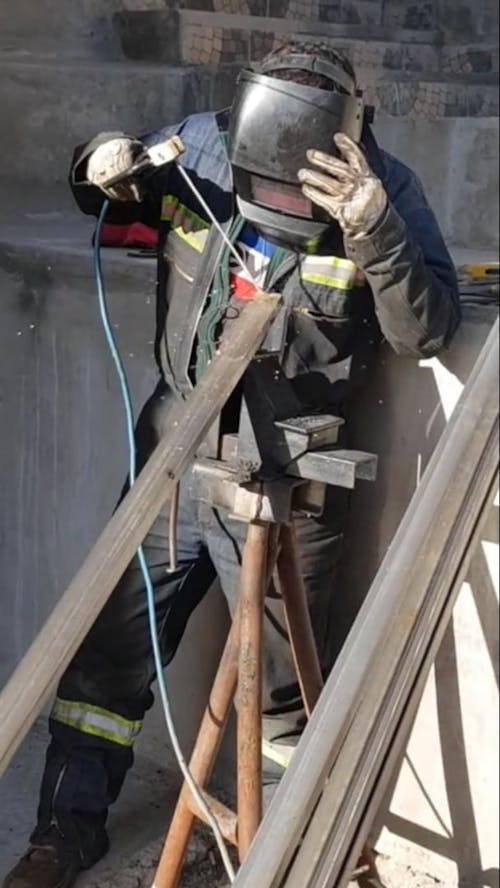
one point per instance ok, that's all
(319, 814)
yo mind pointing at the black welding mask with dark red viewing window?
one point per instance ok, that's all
(273, 123)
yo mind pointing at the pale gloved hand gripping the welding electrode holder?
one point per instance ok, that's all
(111, 159)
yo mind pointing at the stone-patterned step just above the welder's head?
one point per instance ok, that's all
(194, 36)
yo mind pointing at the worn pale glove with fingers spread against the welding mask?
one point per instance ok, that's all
(347, 189)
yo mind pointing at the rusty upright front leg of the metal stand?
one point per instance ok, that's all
(249, 732)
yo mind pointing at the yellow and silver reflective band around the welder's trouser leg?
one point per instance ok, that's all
(96, 722)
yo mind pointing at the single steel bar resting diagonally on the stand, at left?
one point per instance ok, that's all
(26, 692)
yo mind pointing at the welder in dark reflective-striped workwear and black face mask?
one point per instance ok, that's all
(319, 213)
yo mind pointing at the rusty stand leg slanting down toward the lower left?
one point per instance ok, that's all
(202, 761)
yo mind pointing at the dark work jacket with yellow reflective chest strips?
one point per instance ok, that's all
(397, 283)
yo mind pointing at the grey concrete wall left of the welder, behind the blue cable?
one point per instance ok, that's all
(64, 450)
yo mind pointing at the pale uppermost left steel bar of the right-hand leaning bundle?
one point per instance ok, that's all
(383, 624)
